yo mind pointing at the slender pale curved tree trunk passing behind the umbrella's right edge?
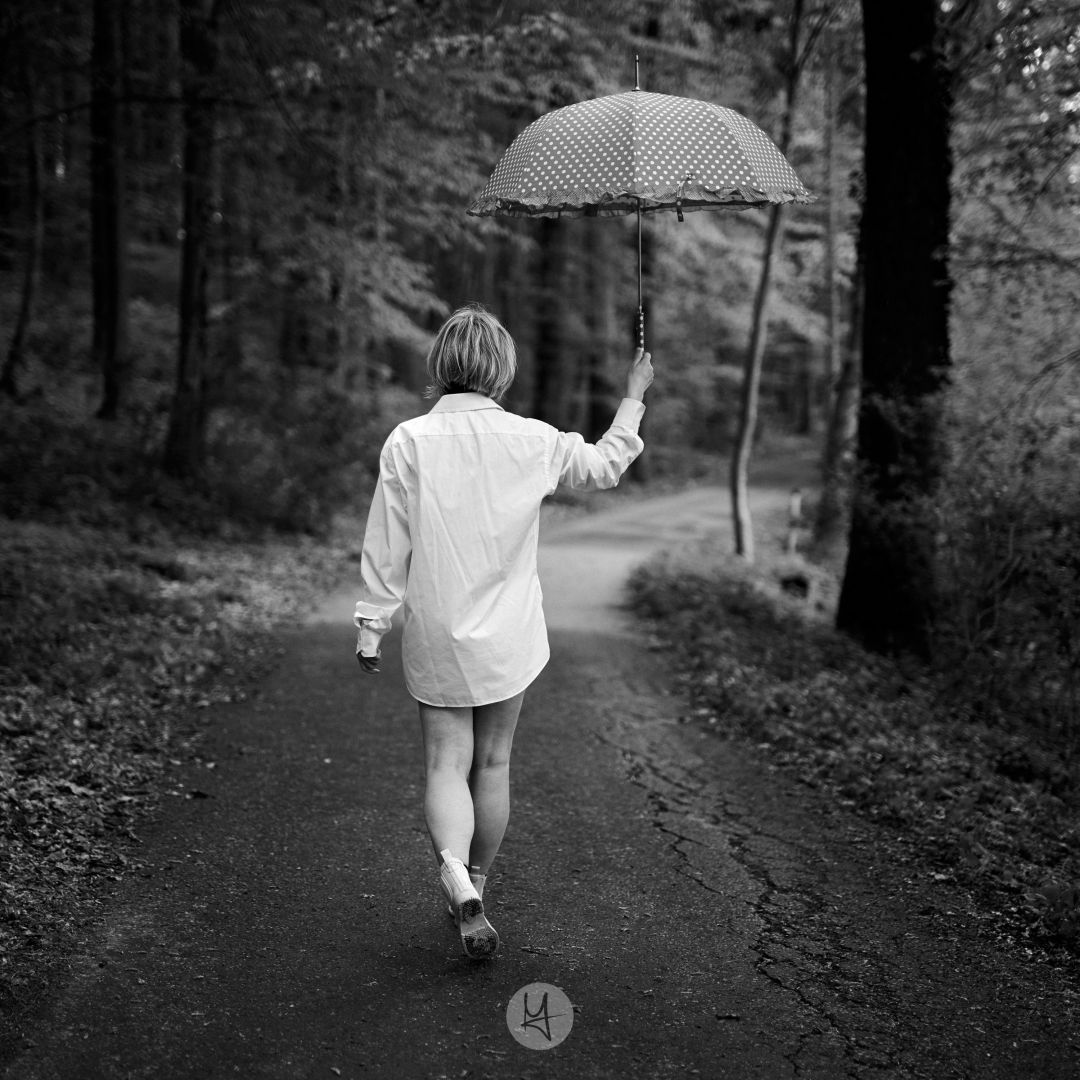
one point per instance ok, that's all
(755, 354)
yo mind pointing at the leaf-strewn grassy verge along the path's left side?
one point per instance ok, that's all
(112, 643)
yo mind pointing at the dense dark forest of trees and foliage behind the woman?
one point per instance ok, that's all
(231, 229)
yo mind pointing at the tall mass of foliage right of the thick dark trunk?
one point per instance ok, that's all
(1007, 511)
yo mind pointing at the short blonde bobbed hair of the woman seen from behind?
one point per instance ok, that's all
(472, 352)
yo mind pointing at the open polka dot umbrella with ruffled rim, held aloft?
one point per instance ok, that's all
(639, 153)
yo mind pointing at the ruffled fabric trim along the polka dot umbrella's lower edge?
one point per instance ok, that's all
(616, 205)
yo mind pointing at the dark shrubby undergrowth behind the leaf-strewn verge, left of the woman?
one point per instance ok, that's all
(293, 468)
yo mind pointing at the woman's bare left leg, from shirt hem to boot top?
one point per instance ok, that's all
(448, 755)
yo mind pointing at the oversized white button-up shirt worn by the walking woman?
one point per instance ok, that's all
(453, 533)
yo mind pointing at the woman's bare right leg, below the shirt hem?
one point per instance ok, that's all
(490, 779)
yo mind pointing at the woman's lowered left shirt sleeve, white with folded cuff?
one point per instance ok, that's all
(385, 562)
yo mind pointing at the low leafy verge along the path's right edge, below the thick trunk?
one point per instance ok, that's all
(988, 808)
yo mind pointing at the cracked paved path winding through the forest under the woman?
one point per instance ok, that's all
(704, 919)
